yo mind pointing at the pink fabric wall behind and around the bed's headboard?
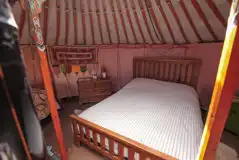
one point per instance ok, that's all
(118, 62)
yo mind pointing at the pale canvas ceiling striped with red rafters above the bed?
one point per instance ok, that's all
(71, 22)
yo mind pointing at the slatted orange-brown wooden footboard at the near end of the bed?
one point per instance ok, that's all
(111, 144)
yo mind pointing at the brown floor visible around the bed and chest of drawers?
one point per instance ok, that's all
(84, 153)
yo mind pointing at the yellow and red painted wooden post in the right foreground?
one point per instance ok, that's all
(225, 86)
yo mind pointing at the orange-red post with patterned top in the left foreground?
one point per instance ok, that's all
(33, 5)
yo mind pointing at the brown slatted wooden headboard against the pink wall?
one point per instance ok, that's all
(176, 70)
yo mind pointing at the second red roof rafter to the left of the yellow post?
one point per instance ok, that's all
(204, 18)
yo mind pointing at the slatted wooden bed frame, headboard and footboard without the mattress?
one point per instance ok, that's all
(185, 71)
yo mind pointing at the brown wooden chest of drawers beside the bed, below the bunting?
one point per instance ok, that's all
(94, 90)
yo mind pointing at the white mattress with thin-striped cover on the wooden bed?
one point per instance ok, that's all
(162, 115)
